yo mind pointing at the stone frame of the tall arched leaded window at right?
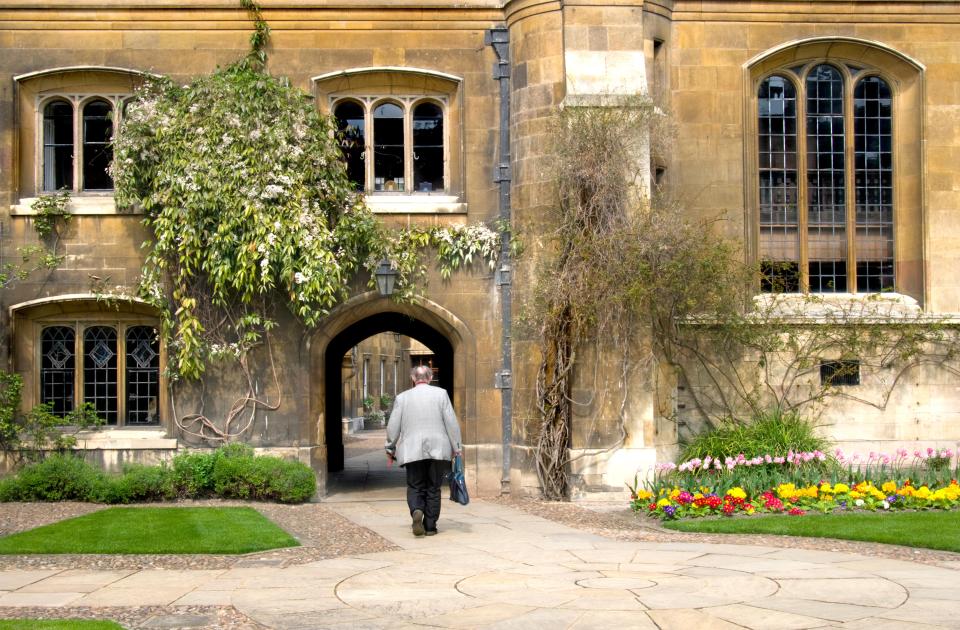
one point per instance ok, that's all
(855, 59)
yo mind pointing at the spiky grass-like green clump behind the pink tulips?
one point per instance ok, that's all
(776, 433)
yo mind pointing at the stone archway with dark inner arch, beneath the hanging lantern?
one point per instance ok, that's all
(367, 315)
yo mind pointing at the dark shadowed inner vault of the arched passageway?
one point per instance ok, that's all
(351, 336)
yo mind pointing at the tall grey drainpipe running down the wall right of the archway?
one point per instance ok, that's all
(499, 39)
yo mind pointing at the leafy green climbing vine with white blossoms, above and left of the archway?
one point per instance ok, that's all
(249, 206)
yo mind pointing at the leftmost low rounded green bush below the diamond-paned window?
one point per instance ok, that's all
(59, 477)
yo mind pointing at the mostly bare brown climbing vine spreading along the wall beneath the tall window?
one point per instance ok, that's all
(633, 278)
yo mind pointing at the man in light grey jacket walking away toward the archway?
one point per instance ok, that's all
(423, 436)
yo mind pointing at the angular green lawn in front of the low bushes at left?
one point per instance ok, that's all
(226, 530)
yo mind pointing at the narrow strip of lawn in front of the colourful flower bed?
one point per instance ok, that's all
(933, 530)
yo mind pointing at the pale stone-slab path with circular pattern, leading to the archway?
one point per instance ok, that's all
(494, 567)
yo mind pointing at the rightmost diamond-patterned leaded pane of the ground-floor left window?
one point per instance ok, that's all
(143, 375)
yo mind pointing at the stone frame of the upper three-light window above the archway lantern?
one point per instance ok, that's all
(408, 88)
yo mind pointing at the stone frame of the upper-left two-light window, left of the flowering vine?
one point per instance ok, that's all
(78, 86)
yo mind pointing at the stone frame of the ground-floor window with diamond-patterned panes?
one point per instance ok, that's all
(81, 312)
